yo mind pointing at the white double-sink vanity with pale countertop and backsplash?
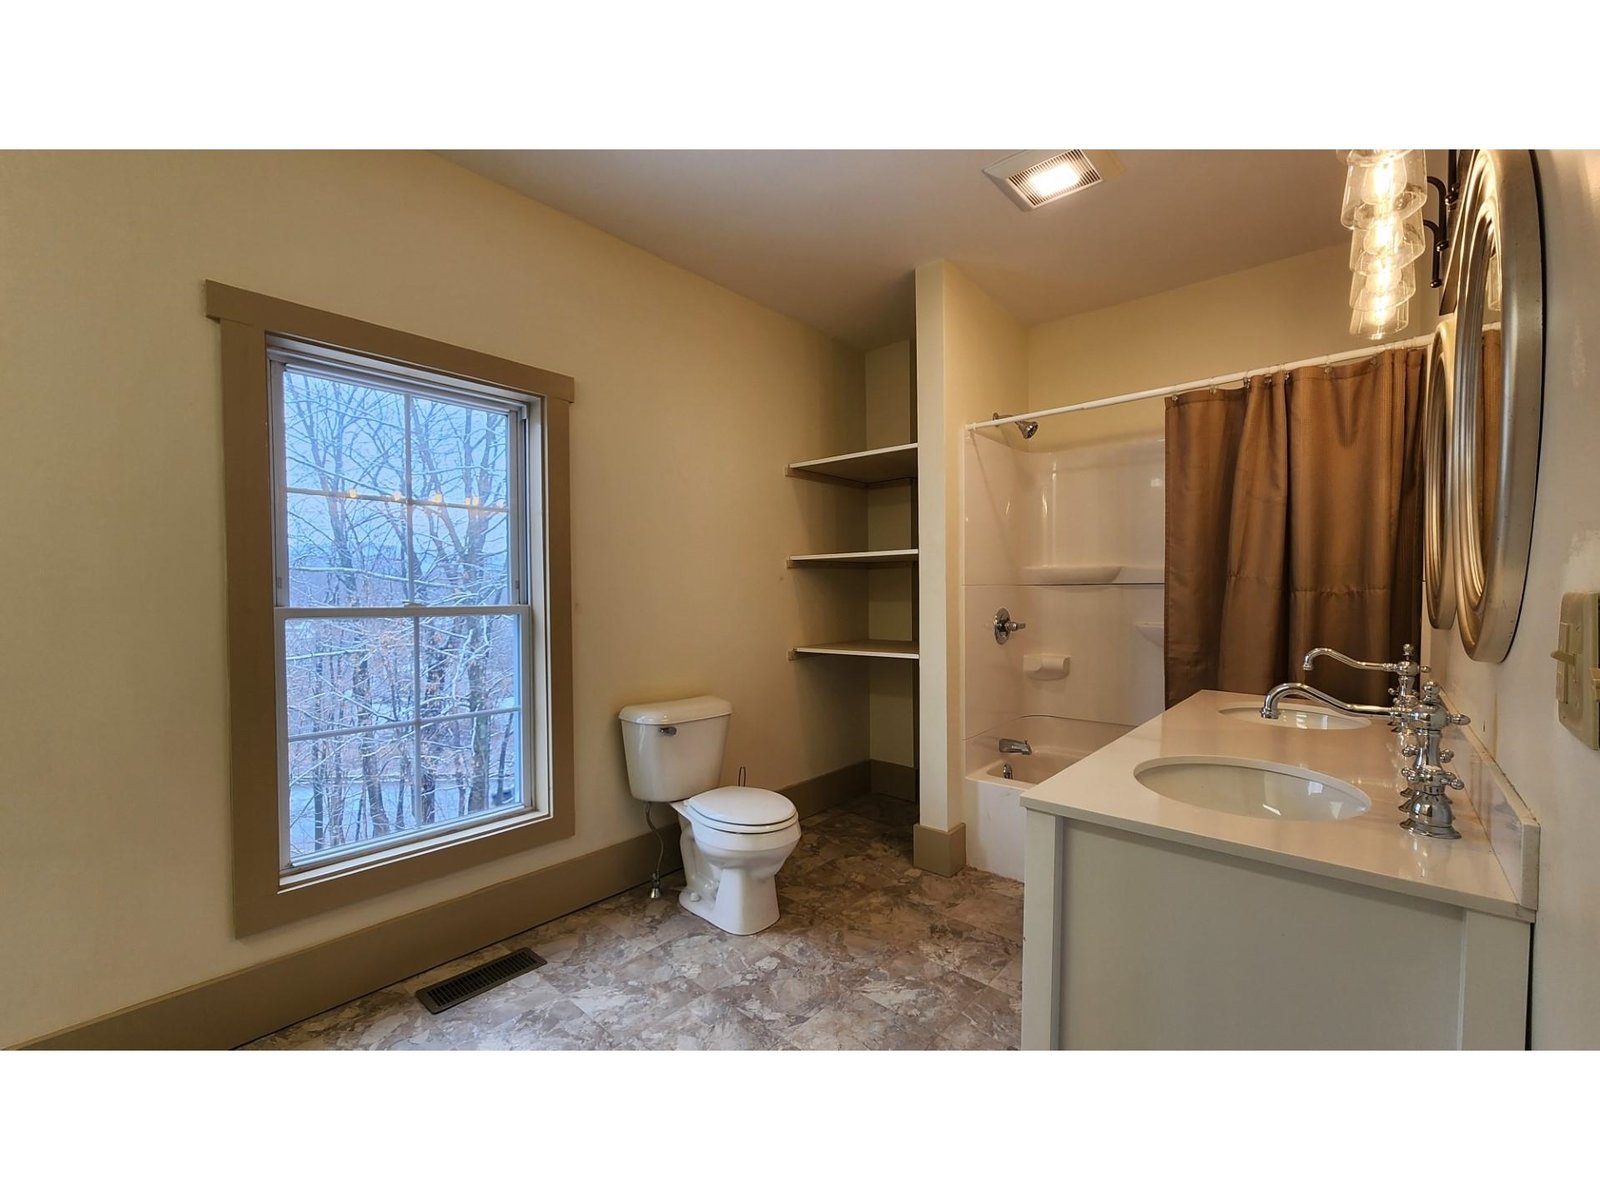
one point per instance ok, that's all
(1159, 924)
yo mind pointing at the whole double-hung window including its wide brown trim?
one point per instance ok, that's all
(398, 553)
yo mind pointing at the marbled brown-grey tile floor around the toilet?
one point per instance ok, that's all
(870, 954)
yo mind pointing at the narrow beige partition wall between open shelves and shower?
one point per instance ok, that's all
(972, 359)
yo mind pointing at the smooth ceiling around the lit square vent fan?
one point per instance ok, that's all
(833, 238)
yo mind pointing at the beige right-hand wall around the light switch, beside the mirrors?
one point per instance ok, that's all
(1513, 703)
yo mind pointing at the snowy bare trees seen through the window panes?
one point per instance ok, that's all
(404, 630)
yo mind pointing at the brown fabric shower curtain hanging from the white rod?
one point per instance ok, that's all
(1294, 521)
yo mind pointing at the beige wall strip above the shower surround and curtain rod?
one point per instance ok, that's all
(1297, 308)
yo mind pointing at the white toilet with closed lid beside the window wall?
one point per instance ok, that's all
(735, 839)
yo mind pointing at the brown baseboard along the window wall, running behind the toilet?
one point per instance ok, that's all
(262, 999)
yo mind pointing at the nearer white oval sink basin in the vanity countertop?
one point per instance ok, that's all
(1246, 788)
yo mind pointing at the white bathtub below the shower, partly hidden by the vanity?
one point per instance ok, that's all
(994, 810)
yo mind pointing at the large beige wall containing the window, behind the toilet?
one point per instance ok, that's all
(114, 849)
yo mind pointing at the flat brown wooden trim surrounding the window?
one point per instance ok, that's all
(263, 898)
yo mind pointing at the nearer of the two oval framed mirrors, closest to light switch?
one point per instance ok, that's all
(1495, 422)
